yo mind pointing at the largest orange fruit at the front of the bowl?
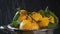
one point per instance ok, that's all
(28, 25)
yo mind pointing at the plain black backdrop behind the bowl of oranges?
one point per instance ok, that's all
(8, 9)
